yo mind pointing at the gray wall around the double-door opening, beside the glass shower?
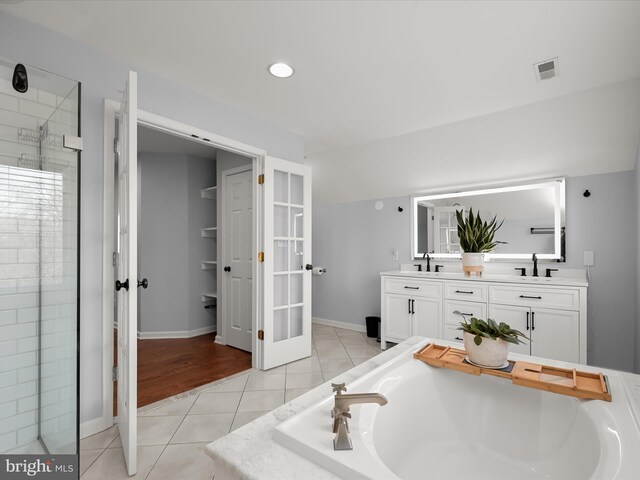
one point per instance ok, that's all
(101, 77)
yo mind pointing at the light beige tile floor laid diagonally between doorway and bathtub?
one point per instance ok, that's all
(172, 434)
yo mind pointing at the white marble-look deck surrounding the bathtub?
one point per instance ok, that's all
(252, 453)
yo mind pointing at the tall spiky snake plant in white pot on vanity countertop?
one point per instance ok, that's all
(476, 239)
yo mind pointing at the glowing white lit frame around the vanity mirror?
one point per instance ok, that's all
(559, 211)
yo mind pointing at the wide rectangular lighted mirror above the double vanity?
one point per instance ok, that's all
(533, 215)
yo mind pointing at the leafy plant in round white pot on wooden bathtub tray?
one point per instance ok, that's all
(487, 342)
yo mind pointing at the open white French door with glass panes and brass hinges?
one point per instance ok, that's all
(287, 254)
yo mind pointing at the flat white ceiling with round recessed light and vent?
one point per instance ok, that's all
(364, 70)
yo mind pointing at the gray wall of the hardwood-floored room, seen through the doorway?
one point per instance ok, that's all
(171, 214)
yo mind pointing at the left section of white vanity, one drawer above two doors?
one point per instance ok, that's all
(415, 307)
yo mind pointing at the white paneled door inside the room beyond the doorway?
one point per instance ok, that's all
(238, 257)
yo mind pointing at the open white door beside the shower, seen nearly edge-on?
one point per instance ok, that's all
(127, 275)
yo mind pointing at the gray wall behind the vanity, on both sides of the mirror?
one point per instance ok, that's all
(355, 242)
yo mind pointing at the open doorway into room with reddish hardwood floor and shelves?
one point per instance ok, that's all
(178, 236)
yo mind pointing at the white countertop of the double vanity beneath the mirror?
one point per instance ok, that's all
(490, 277)
